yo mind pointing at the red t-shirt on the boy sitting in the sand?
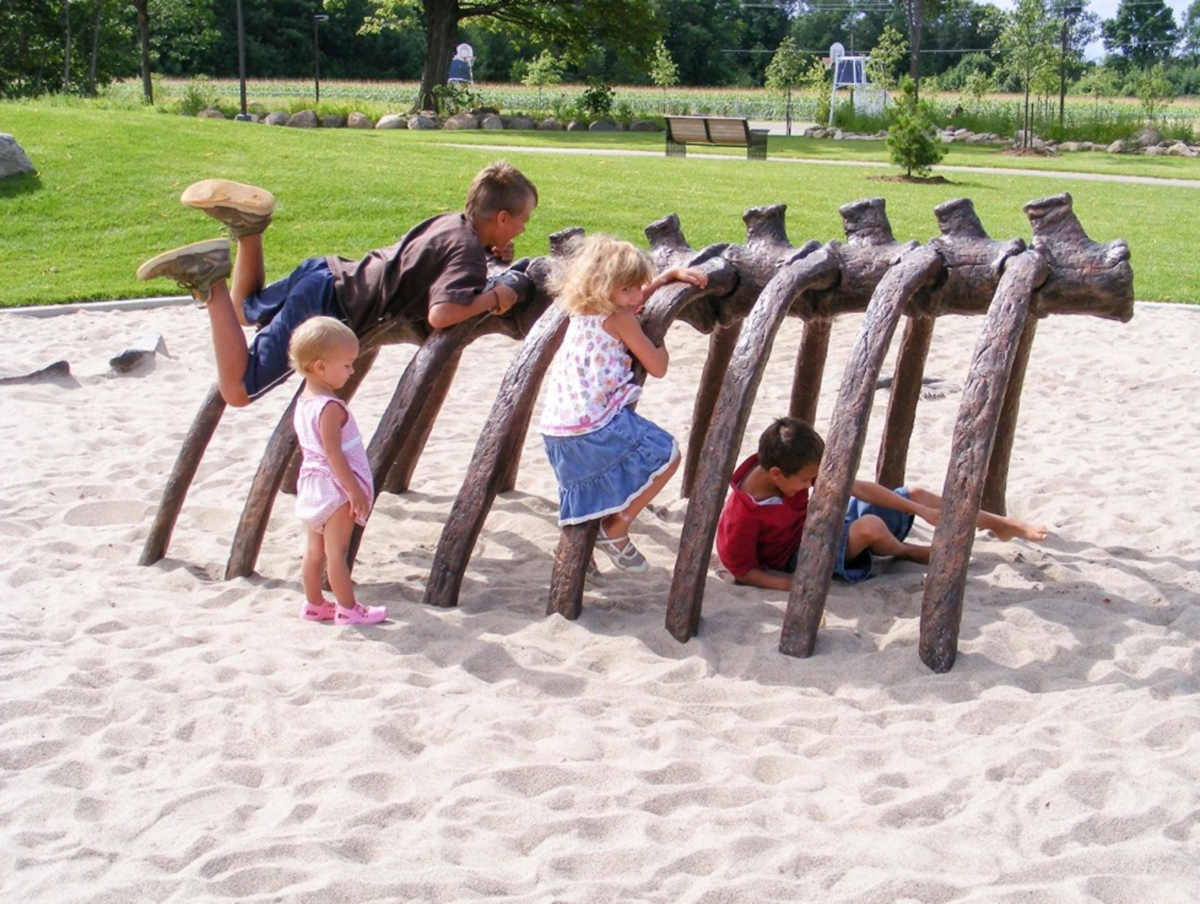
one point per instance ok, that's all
(752, 535)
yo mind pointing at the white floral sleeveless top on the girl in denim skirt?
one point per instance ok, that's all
(591, 380)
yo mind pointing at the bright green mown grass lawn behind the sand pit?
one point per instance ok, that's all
(106, 196)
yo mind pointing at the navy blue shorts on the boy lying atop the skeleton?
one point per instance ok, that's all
(279, 310)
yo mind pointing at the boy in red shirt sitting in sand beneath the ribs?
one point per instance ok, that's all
(760, 530)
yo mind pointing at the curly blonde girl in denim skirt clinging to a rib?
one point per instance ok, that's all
(610, 463)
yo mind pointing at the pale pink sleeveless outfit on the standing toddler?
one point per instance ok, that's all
(319, 492)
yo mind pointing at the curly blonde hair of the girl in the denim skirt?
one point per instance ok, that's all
(601, 266)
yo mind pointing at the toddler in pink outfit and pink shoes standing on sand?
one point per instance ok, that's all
(334, 489)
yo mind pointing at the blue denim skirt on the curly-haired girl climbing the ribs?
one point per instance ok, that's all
(602, 472)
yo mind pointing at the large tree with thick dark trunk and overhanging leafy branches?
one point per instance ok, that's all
(627, 26)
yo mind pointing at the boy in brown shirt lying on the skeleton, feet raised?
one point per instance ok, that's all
(437, 272)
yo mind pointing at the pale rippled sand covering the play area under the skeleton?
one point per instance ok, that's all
(170, 737)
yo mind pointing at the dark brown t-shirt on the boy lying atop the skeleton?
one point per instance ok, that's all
(441, 260)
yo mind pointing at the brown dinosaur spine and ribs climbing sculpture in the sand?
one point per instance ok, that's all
(752, 288)
